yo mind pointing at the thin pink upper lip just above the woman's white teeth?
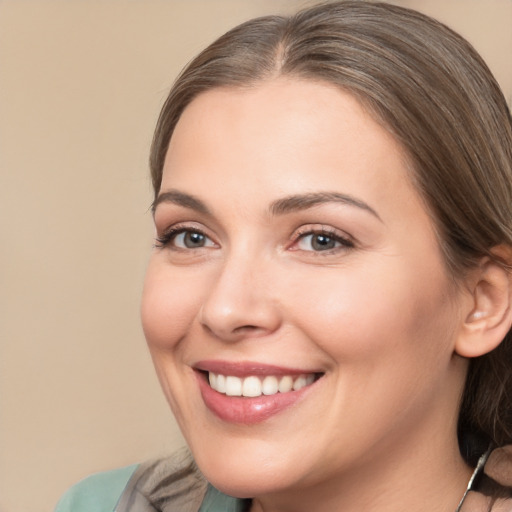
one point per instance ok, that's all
(247, 368)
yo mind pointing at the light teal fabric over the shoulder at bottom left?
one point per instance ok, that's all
(97, 493)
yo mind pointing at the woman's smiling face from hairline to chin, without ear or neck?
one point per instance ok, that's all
(294, 252)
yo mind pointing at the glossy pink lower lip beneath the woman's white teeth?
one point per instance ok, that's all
(245, 410)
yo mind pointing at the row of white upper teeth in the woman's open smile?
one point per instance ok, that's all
(256, 386)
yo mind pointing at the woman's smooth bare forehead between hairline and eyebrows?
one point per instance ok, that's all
(280, 124)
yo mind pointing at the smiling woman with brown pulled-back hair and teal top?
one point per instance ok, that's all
(328, 301)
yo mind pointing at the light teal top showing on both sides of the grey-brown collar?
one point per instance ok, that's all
(101, 493)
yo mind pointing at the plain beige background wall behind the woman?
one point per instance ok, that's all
(81, 83)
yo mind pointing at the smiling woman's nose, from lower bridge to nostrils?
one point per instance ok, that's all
(241, 302)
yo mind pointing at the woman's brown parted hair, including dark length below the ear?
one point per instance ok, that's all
(433, 92)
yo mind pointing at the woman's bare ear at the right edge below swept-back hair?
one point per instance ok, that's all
(490, 315)
